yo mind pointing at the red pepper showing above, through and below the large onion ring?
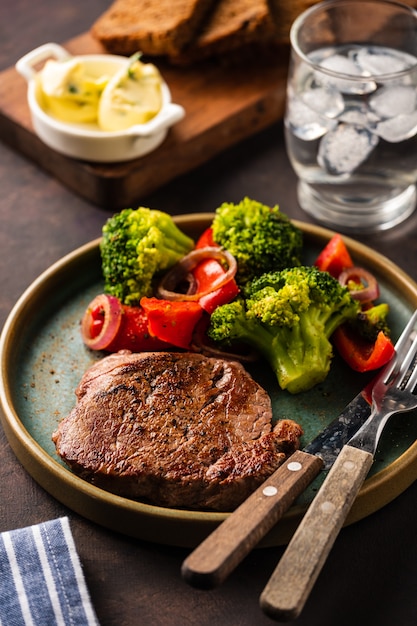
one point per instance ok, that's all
(206, 272)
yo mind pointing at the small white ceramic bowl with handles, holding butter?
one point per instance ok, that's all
(87, 141)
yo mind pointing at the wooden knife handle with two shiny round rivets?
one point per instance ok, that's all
(213, 560)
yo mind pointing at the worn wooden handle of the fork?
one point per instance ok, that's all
(290, 584)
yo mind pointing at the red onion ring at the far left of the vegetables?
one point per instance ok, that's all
(112, 317)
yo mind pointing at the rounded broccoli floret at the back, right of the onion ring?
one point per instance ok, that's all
(261, 238)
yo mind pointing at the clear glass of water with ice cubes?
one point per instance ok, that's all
(351, 117)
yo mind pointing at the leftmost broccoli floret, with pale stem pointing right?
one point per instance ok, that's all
(137, 245)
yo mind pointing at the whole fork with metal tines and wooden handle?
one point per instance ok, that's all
(290, 584)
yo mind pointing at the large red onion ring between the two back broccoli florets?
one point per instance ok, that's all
(180, 272)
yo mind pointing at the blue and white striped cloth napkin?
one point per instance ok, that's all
(41, 580)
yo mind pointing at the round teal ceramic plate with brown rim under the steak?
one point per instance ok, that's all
(43, 358)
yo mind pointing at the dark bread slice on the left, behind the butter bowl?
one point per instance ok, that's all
(158, 27)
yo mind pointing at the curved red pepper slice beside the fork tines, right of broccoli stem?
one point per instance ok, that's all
(361, 355)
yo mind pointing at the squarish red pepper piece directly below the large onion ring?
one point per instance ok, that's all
(172, 321)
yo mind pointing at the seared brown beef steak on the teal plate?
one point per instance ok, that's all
(174, 429)
